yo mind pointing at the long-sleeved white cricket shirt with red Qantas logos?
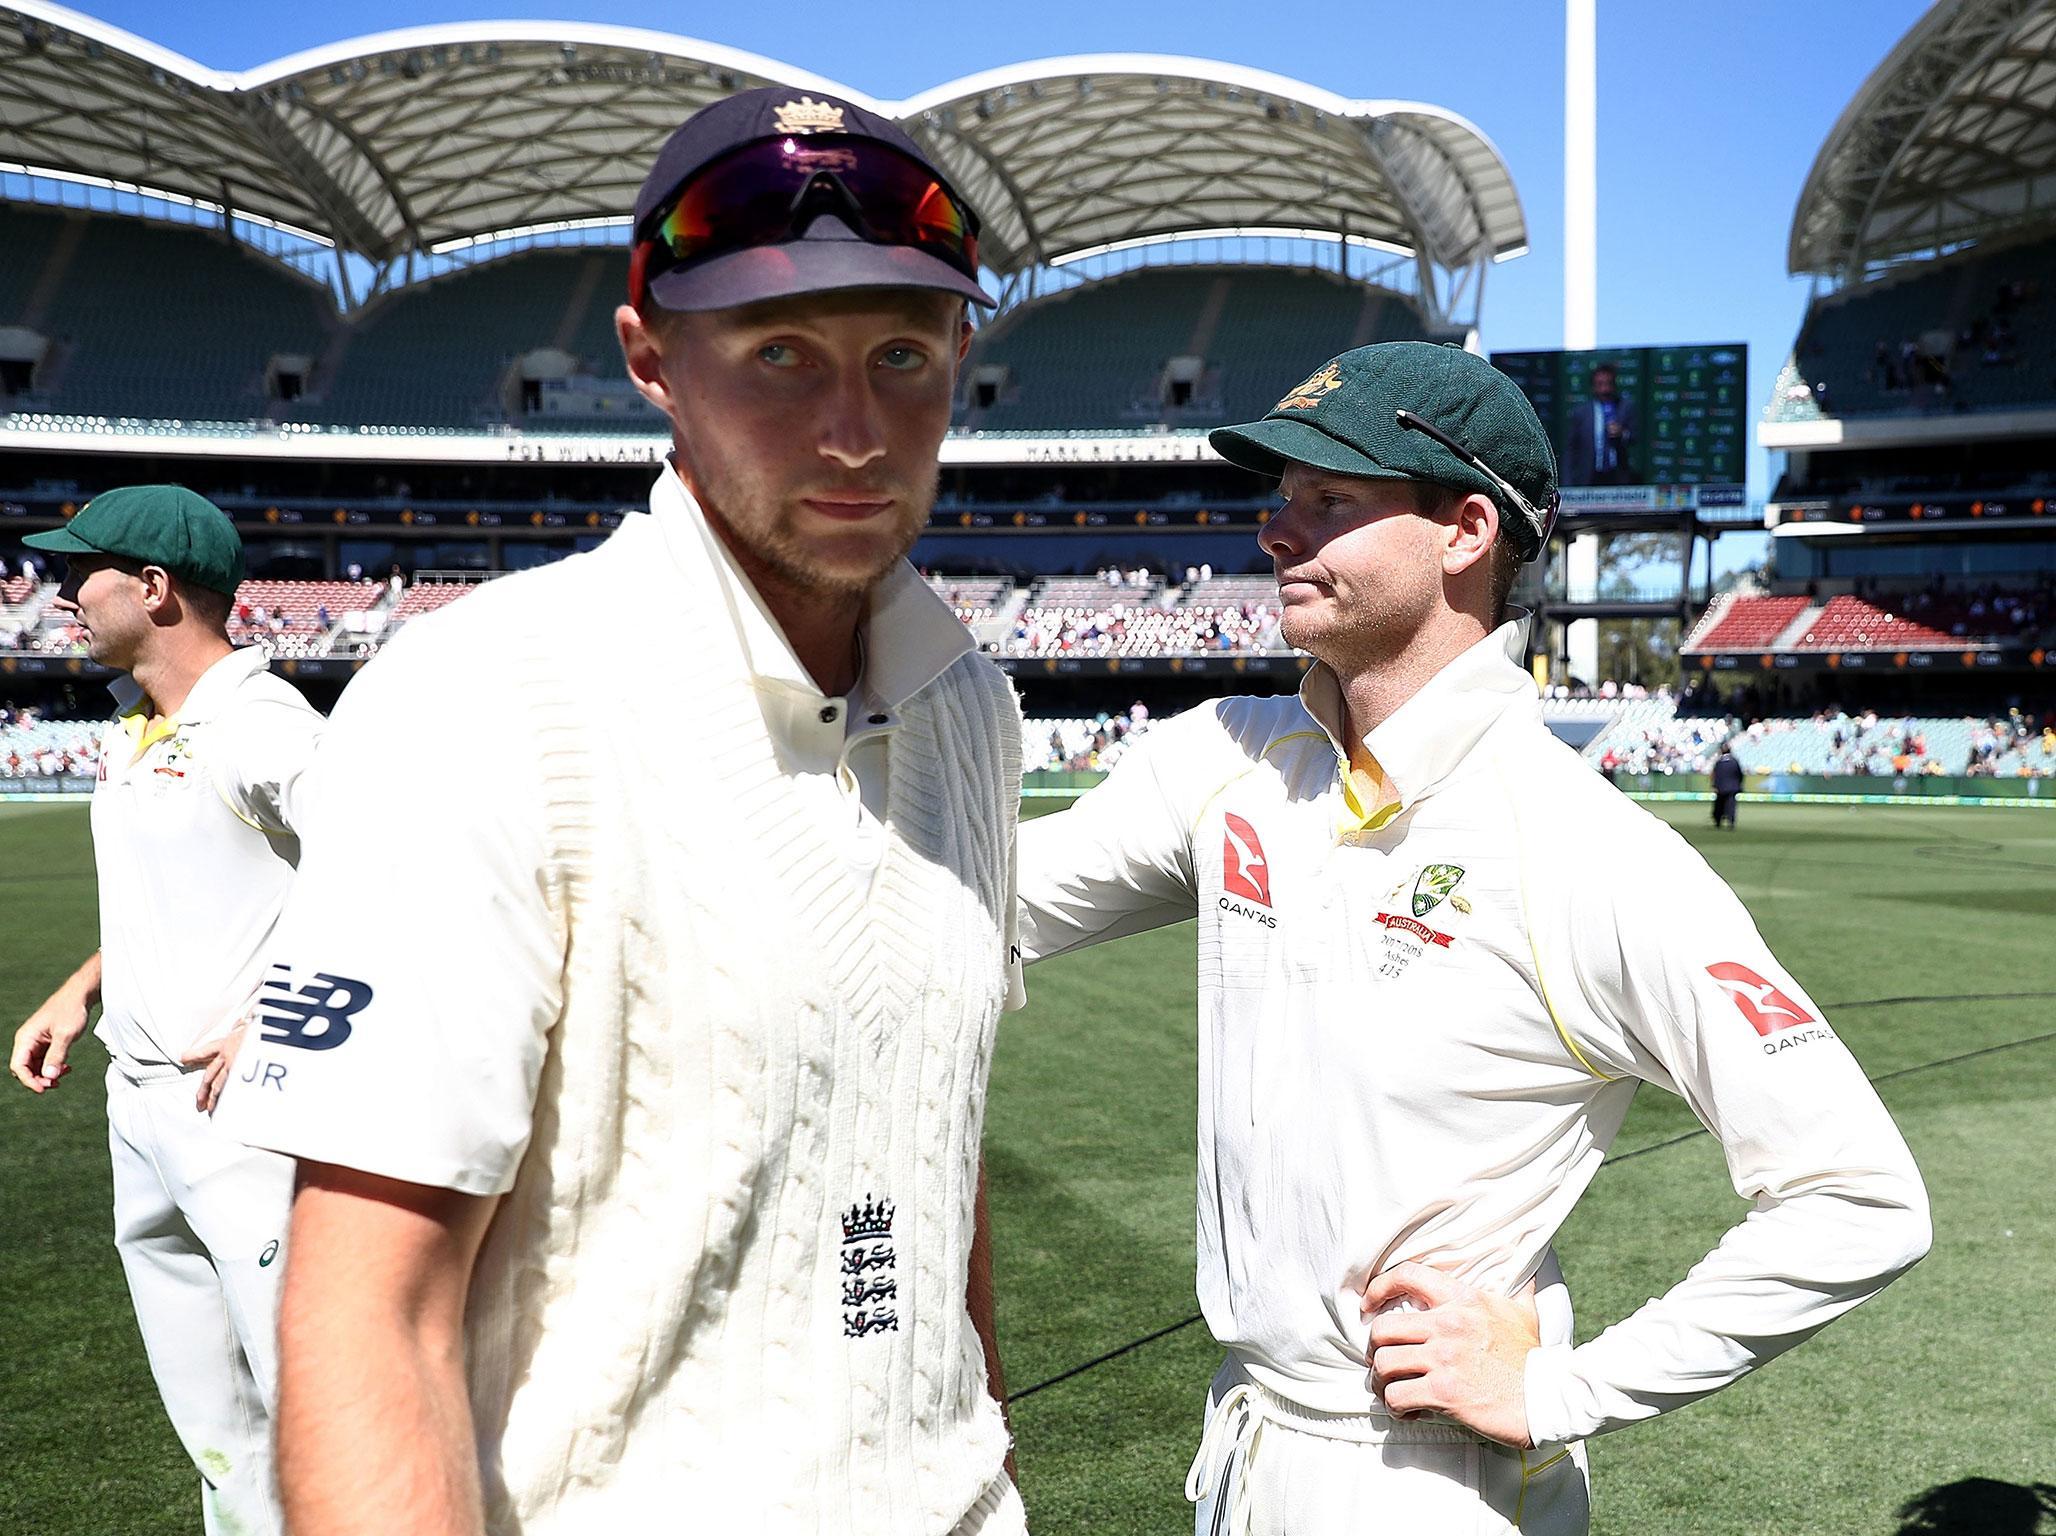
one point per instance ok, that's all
(1420, 1031)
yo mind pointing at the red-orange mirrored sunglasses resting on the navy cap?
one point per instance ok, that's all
(770, 192)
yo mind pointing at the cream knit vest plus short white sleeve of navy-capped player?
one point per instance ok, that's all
(729, 1093)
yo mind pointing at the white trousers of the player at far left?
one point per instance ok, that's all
(200, 1224)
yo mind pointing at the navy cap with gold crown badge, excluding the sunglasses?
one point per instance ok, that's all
(823, 254)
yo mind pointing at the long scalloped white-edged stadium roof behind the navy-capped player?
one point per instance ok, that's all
(437, 137)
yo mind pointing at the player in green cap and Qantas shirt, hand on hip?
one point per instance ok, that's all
(1436, 957)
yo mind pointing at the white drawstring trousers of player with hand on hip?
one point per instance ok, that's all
(1270, 1467)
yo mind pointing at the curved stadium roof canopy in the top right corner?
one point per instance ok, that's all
(1950, 141)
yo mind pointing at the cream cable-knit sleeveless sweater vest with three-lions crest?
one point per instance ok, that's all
(671, 1313)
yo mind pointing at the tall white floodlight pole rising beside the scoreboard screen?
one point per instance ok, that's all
(1582, 277)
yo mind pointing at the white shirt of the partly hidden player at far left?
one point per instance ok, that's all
(194, 844)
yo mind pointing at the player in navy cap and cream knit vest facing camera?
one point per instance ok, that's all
(640, 1120)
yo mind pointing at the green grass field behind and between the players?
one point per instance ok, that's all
(1925, 932)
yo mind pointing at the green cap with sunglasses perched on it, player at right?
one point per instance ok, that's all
(1346, 420)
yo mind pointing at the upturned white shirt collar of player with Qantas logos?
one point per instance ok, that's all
(1428, 737)
